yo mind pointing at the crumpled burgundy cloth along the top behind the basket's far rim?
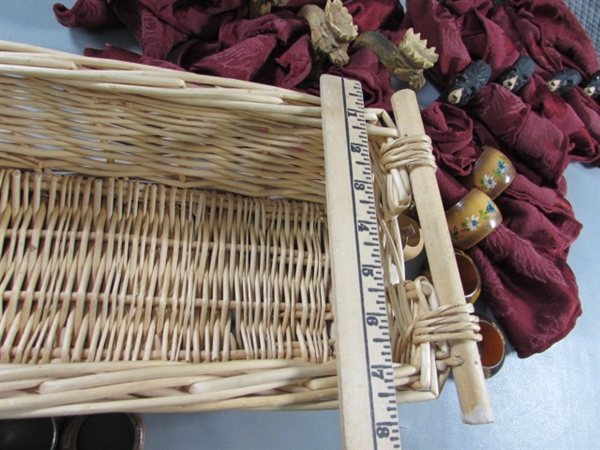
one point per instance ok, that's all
(217, 38)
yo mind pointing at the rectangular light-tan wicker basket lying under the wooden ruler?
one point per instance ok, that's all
(163, 245)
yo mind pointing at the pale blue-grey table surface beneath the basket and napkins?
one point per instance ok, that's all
(547, 401)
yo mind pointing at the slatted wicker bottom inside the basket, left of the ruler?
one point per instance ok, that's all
(118, 270)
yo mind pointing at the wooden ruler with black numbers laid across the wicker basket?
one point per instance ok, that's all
(368, 408)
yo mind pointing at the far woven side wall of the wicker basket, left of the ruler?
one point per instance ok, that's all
(159, 125)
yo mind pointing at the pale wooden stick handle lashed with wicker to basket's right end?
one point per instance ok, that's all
(470, 383)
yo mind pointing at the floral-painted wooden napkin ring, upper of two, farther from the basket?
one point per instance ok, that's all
(492, 172)
